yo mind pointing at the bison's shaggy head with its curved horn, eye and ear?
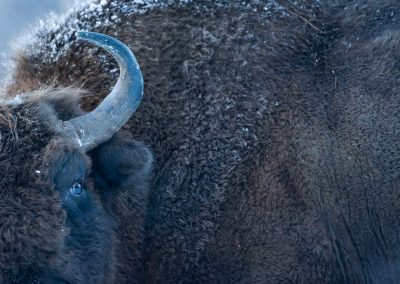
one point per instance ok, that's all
(66, 177)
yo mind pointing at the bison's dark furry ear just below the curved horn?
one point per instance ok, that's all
(122, 162)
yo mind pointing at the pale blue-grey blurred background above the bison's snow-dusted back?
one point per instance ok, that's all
(16, 16)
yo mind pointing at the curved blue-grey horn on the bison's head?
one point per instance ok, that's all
(99, 125)
